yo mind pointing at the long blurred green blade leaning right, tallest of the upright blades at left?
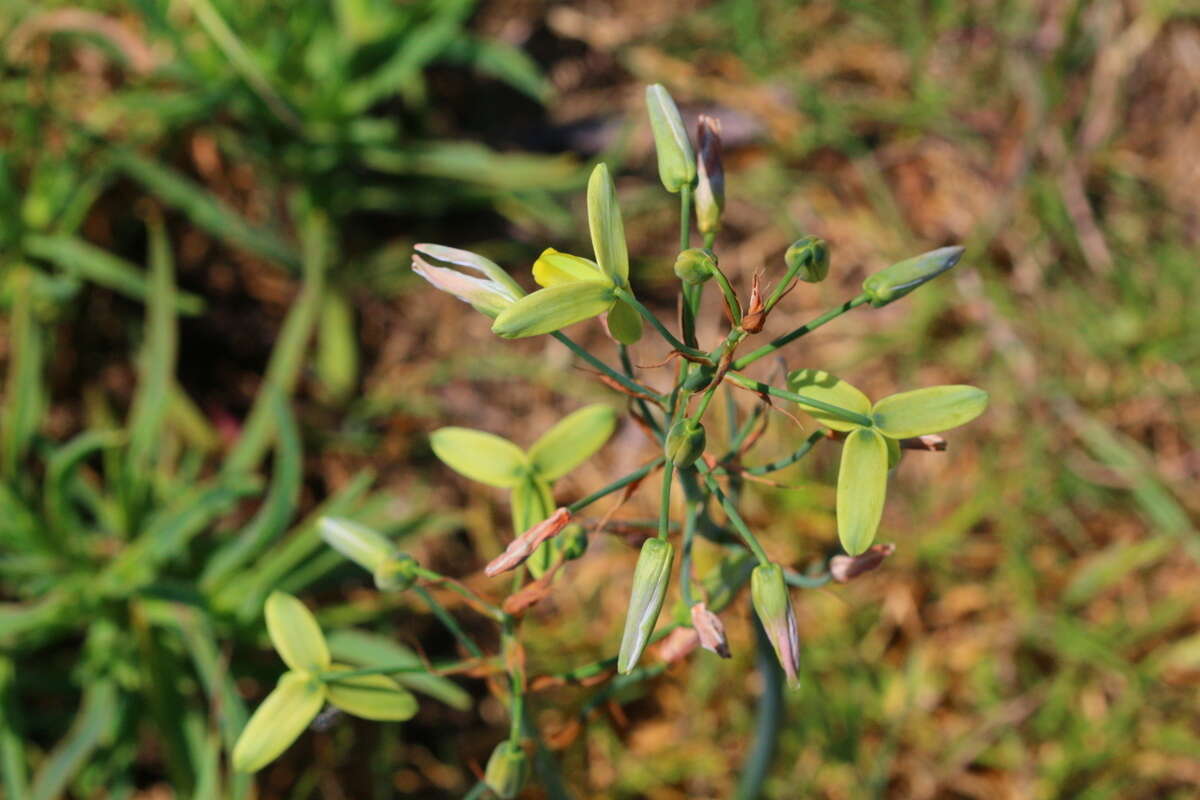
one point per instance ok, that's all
(287, 358)
